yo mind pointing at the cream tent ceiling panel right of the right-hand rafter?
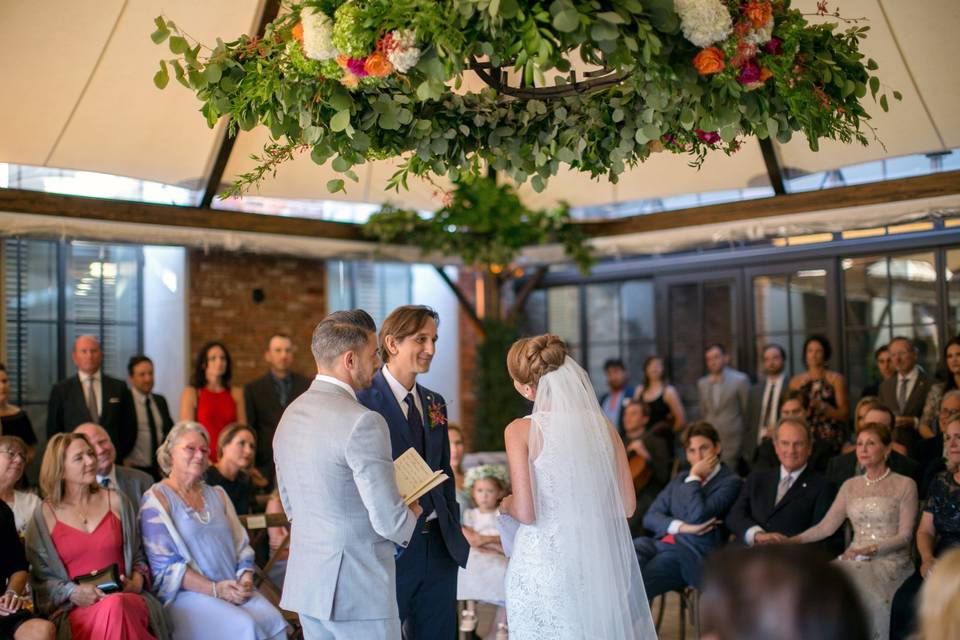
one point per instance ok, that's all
(895, 70)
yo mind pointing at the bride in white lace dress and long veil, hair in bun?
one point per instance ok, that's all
(573, 572)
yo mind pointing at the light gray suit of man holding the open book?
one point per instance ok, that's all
(338, 488)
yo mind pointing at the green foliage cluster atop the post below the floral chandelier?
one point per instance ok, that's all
(486, 224)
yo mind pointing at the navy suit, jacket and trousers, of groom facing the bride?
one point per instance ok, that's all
(427, 568)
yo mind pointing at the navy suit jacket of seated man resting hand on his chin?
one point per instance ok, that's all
(694, 503)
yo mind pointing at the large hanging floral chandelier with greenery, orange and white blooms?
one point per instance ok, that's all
(353, 81)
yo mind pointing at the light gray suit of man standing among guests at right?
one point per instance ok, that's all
(724, 405)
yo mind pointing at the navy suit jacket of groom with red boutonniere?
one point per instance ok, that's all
(379, 397)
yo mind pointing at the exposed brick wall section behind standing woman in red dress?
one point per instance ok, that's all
(222, 307)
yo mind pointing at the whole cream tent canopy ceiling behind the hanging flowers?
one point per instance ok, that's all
(80, 96)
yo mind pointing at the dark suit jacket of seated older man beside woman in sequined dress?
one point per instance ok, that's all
(804, 505)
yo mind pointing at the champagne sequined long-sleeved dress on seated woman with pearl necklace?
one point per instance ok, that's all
(882, 513)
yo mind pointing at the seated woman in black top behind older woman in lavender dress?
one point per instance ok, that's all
(236, 453)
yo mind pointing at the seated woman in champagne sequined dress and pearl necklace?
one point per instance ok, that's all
(882, 507)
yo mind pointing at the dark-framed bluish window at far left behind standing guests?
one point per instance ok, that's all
(56, 291)
